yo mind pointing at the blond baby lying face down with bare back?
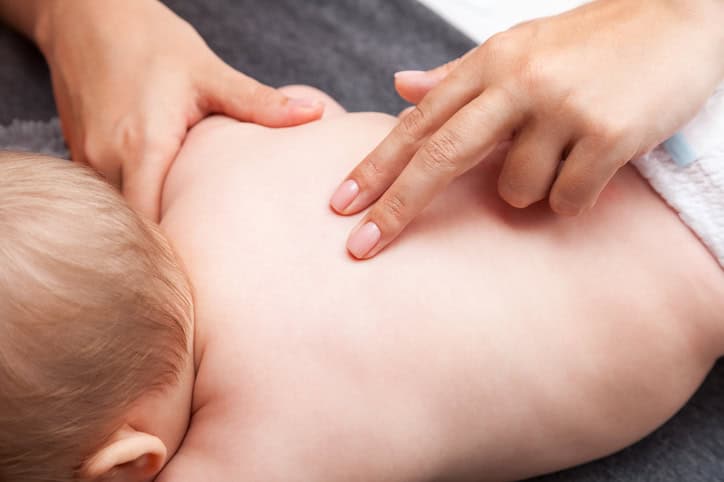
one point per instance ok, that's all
(489, 344)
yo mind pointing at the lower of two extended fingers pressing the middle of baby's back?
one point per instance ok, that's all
(461, 143)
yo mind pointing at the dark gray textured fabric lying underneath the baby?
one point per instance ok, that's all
(350, 49)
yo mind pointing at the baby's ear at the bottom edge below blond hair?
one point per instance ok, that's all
(129, 455)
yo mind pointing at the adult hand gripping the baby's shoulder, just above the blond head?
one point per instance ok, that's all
(130, 78)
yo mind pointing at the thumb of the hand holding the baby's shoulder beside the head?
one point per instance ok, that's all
(239, 96)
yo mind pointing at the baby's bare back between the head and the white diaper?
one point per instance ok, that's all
(488, 342)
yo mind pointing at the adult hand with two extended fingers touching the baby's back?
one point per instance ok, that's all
(594, 87)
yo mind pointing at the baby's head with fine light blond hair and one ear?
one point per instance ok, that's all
(95, 330)
